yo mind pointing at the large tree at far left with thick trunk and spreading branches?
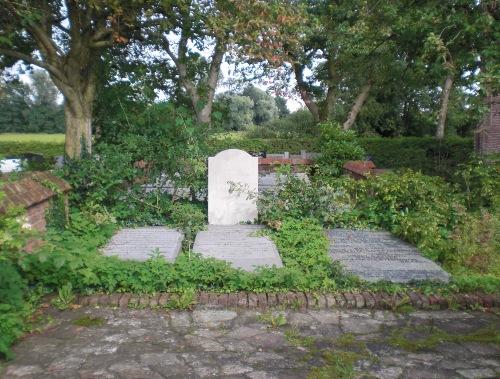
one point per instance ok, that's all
(66, 38)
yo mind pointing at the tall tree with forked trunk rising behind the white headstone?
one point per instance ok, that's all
(191, 37)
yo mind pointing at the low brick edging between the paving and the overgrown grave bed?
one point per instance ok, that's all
(300, 300)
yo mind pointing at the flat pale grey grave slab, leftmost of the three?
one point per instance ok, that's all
(138, 243)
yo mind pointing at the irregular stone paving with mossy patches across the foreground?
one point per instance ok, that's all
(224, 343)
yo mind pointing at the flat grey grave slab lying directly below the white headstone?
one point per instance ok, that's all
(237, 245)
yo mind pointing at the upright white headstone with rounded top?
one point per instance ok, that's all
(226, 207)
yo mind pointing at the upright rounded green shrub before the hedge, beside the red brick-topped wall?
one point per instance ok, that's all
(336, 147)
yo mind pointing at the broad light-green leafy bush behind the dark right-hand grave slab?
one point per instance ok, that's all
(419, 208)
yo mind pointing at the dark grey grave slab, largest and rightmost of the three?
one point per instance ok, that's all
(374, 256)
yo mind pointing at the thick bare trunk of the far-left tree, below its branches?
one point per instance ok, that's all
(78, 120)
